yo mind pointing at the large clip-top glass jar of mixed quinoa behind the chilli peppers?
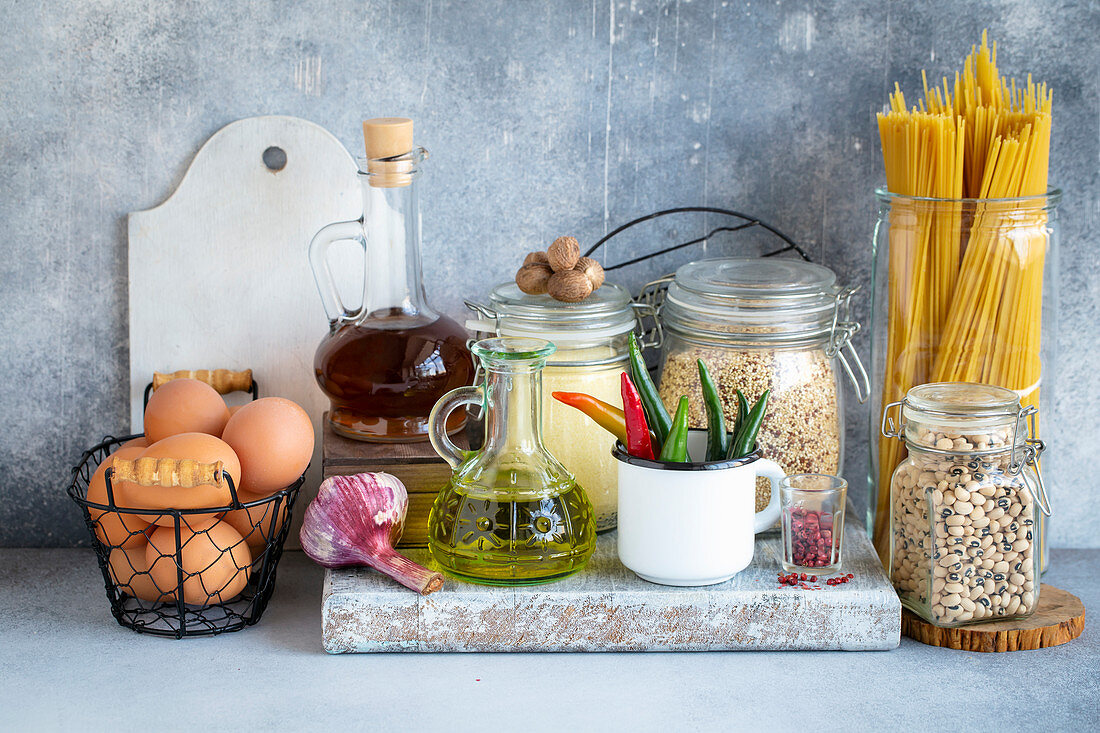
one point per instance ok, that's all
(765, 324)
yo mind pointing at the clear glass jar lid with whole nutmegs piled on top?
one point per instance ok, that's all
(606, 314)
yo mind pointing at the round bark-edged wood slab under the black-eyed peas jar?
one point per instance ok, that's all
(1059, 619)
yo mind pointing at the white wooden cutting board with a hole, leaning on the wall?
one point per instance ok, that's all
(219, 275)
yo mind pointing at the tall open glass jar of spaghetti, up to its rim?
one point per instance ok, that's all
(965, 291)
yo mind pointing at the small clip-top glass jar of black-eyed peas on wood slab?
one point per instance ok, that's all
(965, 505)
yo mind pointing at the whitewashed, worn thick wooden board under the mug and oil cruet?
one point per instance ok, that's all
(607, 608)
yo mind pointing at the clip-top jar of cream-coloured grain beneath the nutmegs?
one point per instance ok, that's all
(591, 337)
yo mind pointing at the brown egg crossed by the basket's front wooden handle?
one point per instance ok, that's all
(196, 446)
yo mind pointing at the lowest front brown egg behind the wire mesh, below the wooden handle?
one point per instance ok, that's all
(214, 557)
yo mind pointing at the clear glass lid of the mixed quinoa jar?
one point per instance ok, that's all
(758, 299)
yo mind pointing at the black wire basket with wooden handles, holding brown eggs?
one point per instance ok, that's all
(144, 555)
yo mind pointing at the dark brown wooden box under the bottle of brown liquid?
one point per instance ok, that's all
(417, 465)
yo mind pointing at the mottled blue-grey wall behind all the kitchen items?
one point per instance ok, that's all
(542, 118)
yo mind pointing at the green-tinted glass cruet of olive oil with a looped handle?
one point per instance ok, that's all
(512, 513)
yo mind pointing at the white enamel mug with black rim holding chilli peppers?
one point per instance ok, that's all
(691, 524)
